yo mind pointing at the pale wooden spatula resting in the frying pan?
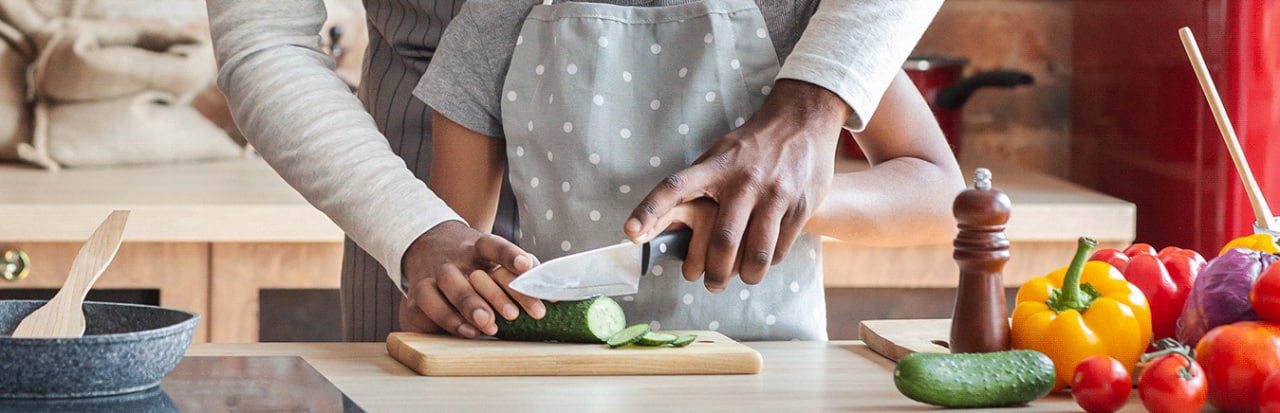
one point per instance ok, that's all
(65, 316)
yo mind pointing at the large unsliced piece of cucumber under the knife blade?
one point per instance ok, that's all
(577, 322)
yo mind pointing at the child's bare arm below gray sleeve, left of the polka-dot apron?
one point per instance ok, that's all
(467, 172)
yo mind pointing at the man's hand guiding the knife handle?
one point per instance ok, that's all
(767, 176)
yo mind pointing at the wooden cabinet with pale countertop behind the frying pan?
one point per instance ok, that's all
(205, 236)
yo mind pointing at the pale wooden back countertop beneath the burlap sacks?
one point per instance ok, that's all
(223, 201)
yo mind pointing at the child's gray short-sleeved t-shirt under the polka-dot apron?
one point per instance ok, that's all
(465, 80)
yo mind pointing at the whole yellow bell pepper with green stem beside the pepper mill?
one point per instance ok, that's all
(1084, 310)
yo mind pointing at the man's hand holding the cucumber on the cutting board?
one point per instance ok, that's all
(455, 283)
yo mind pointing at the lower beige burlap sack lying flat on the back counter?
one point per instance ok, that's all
(143, 129)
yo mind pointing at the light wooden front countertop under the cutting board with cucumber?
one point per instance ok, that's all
(798, 377)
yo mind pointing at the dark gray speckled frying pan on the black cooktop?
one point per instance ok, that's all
(126, 348)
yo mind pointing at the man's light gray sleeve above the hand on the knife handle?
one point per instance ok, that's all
(854, 48)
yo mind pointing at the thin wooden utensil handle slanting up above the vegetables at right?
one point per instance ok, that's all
(1261, 212)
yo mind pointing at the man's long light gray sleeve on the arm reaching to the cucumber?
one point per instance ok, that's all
(313, 131)
